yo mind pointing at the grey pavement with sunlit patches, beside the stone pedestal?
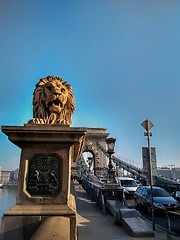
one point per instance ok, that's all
(93, 225)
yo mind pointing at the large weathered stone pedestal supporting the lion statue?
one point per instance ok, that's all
(44, 176)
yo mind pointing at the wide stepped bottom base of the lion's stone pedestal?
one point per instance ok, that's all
(22, 221)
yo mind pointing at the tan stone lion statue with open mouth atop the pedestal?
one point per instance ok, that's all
(53, 102)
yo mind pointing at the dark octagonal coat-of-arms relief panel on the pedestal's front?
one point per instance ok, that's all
(43, 176)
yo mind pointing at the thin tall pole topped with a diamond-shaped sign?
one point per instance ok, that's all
(147, 125)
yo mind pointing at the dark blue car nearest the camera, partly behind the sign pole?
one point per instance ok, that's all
(161, 199)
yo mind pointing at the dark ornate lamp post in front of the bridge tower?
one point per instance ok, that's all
(110, 150)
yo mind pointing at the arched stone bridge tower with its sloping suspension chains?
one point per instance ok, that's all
(95, 146)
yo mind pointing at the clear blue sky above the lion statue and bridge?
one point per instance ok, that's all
(122, 58)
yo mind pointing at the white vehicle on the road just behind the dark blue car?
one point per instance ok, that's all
(129, 185)
